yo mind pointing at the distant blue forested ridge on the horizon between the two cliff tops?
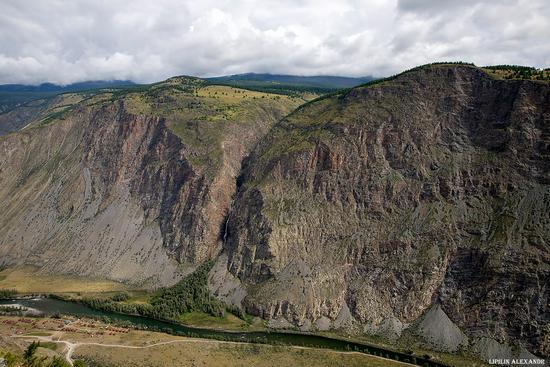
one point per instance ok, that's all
(276, 82)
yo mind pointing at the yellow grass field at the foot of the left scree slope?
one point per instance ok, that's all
(28, 280)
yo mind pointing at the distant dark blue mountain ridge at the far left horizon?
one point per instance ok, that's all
(13, 95)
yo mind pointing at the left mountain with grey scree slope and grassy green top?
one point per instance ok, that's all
(119, 187)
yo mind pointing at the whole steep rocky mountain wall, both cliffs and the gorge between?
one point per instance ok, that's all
(413, 208)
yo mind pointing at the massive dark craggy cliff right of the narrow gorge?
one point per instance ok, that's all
(430, 188)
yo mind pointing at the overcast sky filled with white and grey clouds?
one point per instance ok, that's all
(65, 41)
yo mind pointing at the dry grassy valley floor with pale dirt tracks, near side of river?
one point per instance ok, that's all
(99, 344)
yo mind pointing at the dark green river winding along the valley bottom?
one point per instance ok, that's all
(50, 306)
